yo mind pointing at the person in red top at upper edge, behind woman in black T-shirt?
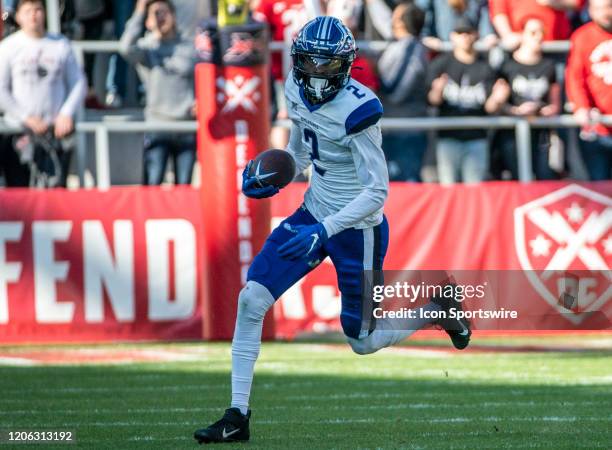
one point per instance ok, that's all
(508, 16)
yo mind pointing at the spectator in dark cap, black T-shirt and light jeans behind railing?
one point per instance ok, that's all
(463, 84)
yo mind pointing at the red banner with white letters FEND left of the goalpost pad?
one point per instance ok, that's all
(87, 265)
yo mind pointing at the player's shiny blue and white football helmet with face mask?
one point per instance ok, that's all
(323, 53)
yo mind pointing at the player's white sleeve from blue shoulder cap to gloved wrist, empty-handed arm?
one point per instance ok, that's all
(371, 167)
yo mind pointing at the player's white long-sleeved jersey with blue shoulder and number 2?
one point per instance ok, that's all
(342, 139)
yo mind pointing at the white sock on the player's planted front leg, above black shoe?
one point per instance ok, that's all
(253, 303)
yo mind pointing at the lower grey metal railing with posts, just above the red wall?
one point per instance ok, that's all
(522, 128)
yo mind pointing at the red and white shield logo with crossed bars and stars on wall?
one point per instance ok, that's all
(560, 235)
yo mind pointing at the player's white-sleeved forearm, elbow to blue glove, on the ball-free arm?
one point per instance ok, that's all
(365, 204)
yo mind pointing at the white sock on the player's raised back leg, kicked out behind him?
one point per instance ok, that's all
(389, 332)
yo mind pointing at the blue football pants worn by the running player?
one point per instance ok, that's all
(352, 251)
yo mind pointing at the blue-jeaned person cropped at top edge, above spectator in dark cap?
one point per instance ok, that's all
(441, 15)
